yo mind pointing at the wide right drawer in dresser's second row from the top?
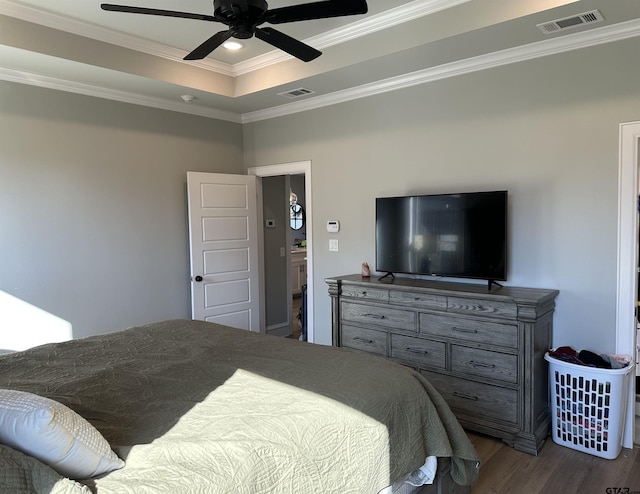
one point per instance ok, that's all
(468, 329)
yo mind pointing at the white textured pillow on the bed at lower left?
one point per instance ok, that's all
(55, 435)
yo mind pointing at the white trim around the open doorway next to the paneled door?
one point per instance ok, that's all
(294, 168)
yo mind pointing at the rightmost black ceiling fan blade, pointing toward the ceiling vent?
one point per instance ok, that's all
(316, 10)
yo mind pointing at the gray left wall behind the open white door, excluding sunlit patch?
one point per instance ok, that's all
(93, 219)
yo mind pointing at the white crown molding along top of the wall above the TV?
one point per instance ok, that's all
(608, 34)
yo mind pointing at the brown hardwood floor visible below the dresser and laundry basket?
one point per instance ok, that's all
(556, 469)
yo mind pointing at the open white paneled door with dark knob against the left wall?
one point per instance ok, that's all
(223, 235)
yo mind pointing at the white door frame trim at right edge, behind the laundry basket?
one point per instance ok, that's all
(629, 161)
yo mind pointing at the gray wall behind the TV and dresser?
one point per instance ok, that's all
(546, 130)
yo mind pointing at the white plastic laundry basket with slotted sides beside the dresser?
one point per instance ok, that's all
(588, 406)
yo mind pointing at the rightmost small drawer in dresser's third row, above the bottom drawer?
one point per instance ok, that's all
(478, 362)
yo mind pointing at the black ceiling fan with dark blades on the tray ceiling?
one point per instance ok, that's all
(244, 16)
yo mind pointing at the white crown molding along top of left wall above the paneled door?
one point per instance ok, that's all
(47, 82)
